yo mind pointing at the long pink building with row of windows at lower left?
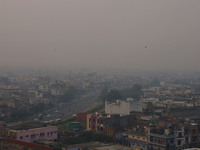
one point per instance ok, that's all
(31, 135)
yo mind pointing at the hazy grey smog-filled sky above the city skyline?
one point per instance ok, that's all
(100, 33)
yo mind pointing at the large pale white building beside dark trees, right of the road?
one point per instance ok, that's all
(123, 107)
